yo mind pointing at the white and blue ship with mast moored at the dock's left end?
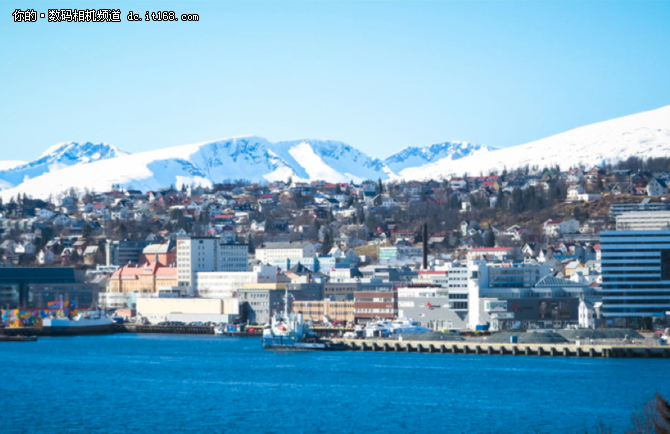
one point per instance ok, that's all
(288, 331)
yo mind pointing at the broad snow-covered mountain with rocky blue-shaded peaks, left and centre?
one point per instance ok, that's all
(249, 157)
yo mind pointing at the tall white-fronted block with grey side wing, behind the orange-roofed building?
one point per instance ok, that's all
(206, 254)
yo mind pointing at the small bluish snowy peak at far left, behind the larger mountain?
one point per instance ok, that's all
(56, 158)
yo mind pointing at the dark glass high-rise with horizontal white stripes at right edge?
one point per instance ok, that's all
(636, 277)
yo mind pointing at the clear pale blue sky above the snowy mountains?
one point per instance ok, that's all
(377, 75)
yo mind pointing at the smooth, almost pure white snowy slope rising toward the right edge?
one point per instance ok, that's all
(644, 135)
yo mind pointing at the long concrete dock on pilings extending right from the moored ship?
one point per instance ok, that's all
(551, 350)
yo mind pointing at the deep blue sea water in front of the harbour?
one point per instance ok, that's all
(175, 384)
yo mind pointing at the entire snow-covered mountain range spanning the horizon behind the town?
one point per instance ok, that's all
(97, 167)
